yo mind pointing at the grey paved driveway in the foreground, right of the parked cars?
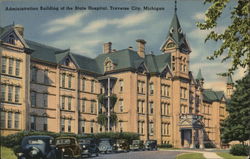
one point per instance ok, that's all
(140, 155)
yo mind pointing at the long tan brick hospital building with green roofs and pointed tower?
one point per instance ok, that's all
(49, 89)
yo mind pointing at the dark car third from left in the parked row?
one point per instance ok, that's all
(88, 147)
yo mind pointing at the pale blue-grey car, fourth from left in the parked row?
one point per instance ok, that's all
(106, 145)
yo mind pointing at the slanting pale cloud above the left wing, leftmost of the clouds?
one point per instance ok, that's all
(61, 24)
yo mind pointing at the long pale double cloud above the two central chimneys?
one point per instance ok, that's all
(127, 21)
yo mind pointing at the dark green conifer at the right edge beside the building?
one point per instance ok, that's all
(237, 125)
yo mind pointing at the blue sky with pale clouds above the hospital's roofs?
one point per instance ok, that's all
(63, 25)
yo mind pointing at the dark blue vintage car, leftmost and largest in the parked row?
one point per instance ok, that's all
(33, 147)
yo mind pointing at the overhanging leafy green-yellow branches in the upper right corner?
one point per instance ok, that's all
(235, 38)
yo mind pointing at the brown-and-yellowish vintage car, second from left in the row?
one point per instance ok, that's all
(69, 147)
